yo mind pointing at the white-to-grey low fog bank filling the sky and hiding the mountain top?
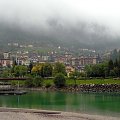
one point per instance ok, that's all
(81, 20)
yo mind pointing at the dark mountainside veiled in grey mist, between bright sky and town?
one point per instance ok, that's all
(84, 35)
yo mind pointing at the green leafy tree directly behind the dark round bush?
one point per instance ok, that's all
(59, 68)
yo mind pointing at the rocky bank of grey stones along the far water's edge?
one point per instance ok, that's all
(86, 88)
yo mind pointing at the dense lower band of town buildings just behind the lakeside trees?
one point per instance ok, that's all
(71, 62)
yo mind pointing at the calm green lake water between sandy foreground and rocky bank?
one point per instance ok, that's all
(105, 104)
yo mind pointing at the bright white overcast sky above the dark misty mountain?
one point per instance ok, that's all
(38, 13)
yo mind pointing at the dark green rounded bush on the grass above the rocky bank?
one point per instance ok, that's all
(59, 80)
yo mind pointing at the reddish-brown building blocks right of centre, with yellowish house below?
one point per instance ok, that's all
(73, 63)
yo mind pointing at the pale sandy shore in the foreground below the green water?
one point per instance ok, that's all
(35, 114)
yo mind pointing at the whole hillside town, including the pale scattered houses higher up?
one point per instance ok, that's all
(71, 61)
